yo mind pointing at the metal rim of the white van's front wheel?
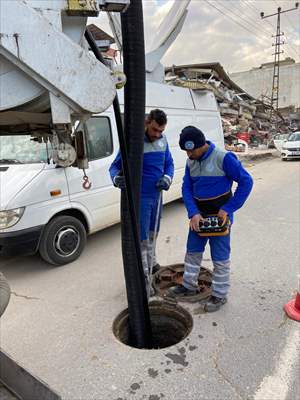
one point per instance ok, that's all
(66, 241)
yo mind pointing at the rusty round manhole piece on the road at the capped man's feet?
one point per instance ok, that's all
(172, 275)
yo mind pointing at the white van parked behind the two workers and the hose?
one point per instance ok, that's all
(45, 208)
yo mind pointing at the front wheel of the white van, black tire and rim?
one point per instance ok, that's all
(63, 240)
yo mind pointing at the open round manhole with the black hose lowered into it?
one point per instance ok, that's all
(170, 324)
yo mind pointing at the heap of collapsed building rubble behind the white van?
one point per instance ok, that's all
(245, 120)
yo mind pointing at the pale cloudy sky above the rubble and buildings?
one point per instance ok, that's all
(227, 31)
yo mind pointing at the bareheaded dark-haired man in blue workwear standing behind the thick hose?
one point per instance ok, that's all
(157, 175)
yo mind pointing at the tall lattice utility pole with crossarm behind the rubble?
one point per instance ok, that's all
(277, 44)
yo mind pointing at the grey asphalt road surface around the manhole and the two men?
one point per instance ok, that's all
(58, 323)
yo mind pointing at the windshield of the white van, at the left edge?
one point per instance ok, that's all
(22, 149)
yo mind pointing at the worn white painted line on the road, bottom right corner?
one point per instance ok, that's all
(276, 386)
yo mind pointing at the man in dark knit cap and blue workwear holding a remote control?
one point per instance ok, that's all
(209, 175)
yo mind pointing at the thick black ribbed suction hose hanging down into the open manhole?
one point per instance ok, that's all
(134, 119)
